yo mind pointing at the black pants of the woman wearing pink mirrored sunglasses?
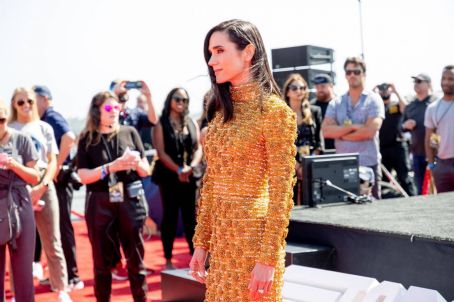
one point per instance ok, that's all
(106, 222)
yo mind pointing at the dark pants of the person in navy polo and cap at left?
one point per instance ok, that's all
(68, 242)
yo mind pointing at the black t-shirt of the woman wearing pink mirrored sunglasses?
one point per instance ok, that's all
(97, 155)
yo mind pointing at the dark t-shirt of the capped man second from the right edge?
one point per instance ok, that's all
(416, 111)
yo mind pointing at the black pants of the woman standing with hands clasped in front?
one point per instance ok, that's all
(176, 196)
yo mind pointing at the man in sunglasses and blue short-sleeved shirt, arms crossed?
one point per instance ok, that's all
(354, 120)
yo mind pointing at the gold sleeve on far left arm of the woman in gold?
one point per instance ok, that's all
(203, 228)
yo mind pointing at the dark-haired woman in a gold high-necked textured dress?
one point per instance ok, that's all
(247, 189)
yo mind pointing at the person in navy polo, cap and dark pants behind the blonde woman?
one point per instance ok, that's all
(63, 183)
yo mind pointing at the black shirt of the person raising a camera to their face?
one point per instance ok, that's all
(391, 129)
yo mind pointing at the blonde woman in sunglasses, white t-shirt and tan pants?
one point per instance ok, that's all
(25, 118)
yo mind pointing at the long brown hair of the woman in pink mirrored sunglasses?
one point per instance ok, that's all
(94, 118)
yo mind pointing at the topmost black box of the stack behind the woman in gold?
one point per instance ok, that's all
(301, 56)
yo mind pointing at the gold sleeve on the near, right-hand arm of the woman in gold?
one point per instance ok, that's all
(279, 131)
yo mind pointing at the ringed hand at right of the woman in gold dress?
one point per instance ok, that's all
(261, 280)
